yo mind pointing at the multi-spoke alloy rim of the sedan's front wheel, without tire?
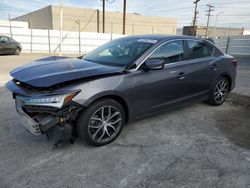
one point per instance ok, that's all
(105, 124)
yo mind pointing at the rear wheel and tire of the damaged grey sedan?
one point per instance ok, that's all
(219, 91)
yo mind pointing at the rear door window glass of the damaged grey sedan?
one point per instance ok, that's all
(199, 49)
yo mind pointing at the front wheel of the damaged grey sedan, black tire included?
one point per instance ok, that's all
(88, 122)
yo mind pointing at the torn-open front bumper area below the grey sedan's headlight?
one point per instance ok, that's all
(39, 119)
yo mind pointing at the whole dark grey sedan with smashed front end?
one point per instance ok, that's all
(124, 80)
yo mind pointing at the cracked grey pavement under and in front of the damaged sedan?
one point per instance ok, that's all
(196, 145)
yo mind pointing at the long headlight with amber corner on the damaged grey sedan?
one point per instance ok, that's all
(57, 100)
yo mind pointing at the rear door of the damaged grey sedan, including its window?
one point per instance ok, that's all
(202, 66)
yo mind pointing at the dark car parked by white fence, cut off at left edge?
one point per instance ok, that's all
(9, 46)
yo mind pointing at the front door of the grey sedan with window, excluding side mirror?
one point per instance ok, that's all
(155, 89)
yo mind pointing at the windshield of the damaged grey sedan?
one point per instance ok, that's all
(120, 52)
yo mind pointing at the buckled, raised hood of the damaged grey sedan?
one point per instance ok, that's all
(54, 70)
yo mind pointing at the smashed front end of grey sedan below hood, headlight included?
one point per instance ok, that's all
(44, 110)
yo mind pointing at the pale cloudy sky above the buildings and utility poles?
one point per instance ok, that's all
(231, 13)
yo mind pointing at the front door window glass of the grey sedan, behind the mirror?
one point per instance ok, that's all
(170, 52)
